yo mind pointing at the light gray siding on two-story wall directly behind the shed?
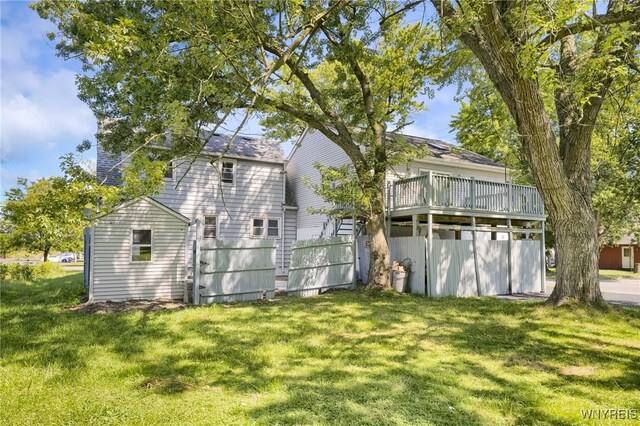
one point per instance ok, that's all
(256, 193)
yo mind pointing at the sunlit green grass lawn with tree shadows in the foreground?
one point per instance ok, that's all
(342, 358)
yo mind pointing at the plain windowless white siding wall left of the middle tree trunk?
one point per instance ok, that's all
(313, 147)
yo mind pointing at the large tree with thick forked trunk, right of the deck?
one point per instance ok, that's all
(577, 51)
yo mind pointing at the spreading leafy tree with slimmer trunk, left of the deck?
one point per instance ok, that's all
(350, 70)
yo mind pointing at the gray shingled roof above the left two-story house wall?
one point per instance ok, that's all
(244, 147)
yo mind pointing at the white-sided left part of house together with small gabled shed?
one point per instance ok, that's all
(240, 195)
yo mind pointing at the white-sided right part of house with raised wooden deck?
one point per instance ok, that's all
(479, 227)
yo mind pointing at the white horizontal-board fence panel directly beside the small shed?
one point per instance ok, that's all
(233, 270)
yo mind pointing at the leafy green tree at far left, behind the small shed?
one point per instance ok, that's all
(49, 214)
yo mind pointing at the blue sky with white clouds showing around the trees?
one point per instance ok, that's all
(42, 118)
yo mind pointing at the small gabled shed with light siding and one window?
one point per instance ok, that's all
(138, 252)
